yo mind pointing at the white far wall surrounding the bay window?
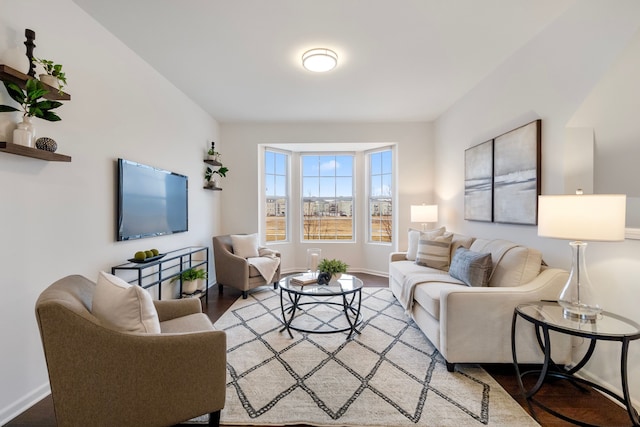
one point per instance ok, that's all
(414, 180)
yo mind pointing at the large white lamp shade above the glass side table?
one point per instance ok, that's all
(585, 217)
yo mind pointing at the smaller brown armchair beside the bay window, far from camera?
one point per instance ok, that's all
(235, 271)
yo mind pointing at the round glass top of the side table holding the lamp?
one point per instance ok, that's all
(605, 325)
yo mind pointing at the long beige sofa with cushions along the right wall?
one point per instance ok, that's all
(473, 324)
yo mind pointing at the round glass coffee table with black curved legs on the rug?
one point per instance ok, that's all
(348, 288)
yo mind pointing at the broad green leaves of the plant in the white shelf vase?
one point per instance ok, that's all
(30, 101)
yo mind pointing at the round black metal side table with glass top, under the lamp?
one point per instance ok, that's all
(547, 316)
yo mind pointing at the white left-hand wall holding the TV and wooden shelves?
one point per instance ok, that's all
(59, 218)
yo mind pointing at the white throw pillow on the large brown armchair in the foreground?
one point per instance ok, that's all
(124, 307)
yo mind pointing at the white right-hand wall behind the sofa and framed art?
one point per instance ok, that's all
(549, 78)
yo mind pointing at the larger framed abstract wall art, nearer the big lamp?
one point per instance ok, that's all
(516, 175)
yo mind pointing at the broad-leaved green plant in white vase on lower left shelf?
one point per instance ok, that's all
(32, 105)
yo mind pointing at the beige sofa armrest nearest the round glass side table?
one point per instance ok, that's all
(493, 307)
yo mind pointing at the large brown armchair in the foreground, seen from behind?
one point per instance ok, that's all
(103, 377)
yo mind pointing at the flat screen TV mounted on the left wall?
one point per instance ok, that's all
(151, 201)
